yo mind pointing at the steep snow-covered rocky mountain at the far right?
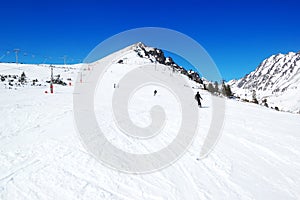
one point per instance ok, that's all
(276, 79)
